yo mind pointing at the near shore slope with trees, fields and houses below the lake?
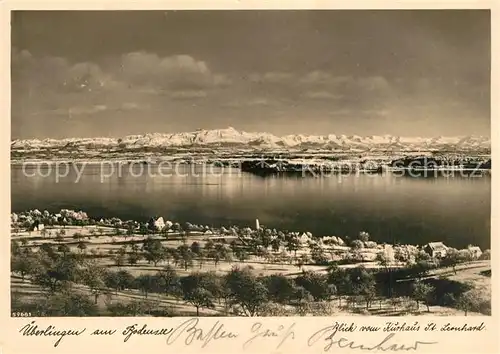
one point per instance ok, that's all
(69, 263)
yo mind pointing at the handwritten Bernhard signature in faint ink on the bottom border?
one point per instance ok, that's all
(329, 336)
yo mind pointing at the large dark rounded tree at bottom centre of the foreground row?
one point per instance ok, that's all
(246, 290)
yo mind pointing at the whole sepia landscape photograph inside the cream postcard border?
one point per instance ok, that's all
(224, 163)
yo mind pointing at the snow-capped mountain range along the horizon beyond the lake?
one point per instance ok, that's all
(231, 137)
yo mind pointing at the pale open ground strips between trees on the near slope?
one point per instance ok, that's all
(99, 246)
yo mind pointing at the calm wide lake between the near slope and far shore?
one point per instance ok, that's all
(390, 208)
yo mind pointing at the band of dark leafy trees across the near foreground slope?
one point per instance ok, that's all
(239, 291)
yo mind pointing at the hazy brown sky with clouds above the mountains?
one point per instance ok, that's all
(116, 73)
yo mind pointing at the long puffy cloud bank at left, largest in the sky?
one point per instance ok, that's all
(139, 71)
